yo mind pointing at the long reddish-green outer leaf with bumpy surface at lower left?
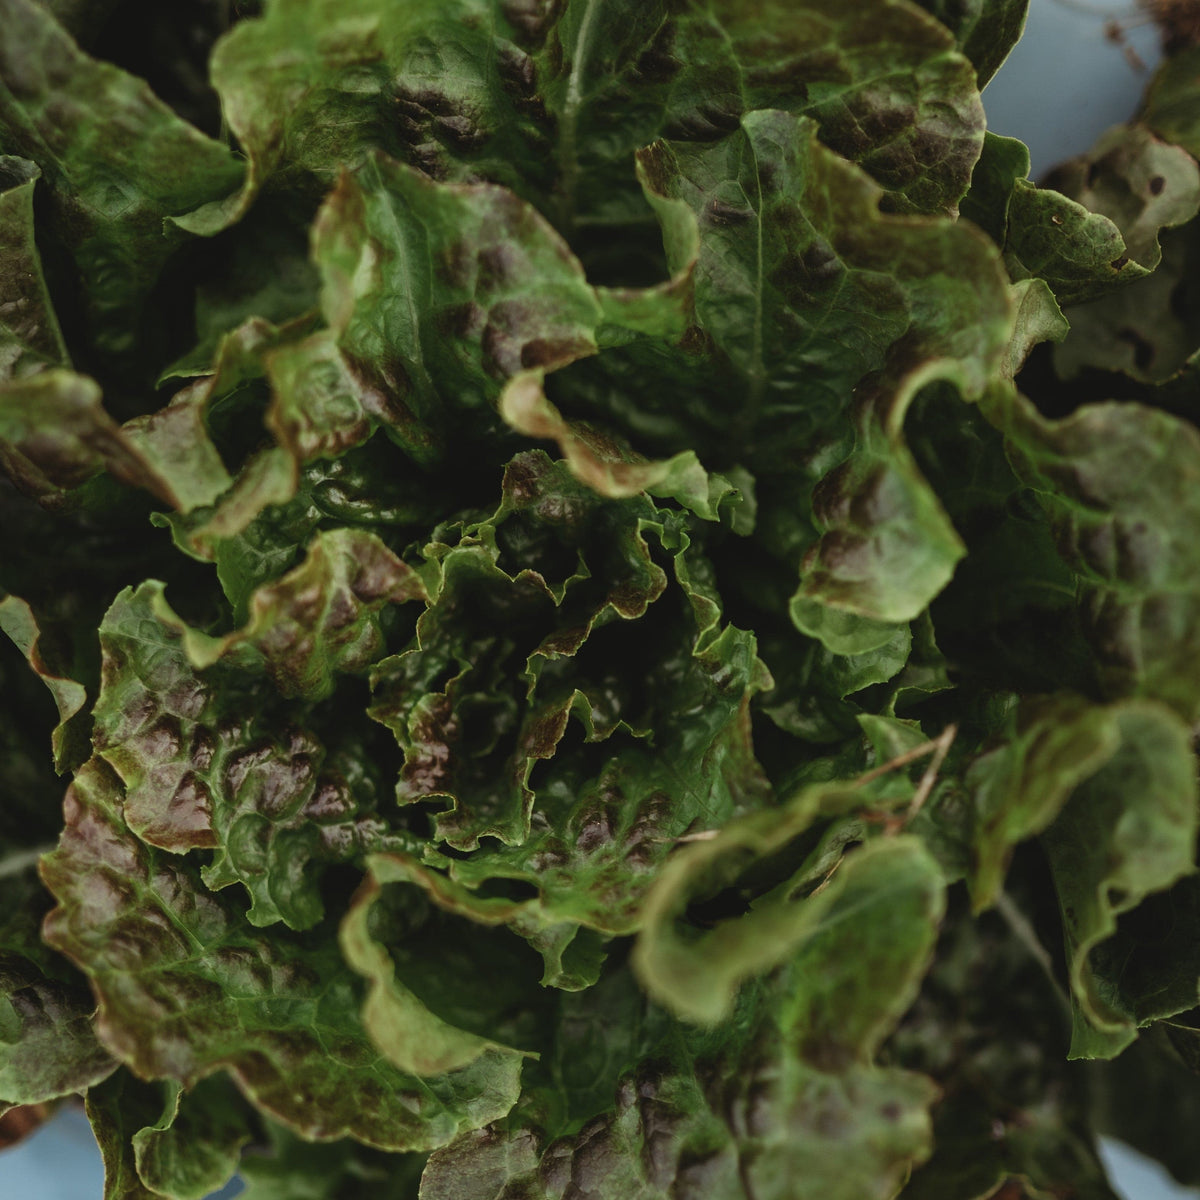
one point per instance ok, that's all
(187, 987)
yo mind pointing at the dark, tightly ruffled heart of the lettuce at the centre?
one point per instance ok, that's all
(581, 796)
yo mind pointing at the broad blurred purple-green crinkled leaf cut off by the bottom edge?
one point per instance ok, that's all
(749, 1119)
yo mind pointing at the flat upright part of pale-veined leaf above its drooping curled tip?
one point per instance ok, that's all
(793, 243)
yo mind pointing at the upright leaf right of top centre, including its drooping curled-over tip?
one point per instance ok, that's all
(793, 249)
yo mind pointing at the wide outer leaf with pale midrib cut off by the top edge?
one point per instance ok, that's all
(553, 103)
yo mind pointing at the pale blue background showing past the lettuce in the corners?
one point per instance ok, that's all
(1064, 86)
